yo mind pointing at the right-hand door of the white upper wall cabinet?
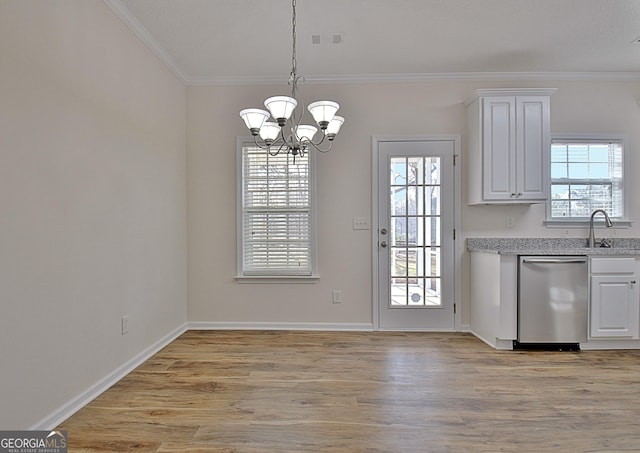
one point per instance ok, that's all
(533, 143)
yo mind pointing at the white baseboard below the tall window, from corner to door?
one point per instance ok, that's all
(331, 326)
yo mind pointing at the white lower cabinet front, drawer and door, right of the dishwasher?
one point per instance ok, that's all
(614, 298)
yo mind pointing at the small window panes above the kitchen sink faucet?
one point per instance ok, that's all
(587, 173)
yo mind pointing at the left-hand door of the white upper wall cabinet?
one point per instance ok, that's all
(498, 144)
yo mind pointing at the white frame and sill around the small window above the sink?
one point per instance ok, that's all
(619, 222)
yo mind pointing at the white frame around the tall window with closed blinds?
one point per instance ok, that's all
(242, 276)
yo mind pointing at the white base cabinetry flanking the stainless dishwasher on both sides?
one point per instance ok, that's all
(614, 300)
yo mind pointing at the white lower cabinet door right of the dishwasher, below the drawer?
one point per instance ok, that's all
(614, 306)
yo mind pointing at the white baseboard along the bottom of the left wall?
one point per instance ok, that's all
(74, 405)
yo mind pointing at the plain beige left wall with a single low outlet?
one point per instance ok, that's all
(92, 202)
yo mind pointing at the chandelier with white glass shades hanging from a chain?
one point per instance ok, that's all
(285, 132)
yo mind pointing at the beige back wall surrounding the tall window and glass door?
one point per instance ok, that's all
(344, 188)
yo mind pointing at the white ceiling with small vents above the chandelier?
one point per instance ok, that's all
(249, 41)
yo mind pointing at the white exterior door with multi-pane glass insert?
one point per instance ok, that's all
(415, 234)
